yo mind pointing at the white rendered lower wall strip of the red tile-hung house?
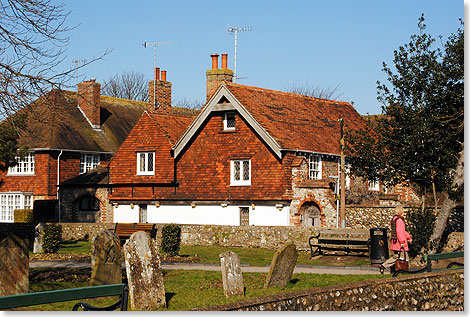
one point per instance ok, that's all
(204, 215)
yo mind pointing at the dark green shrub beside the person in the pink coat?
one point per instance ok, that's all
(420, 226)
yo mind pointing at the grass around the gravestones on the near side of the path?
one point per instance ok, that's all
(188, 289)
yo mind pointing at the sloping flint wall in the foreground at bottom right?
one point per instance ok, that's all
(436, 291)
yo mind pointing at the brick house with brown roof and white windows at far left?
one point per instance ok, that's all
(67, 134)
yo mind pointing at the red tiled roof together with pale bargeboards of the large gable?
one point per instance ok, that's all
(285, 121)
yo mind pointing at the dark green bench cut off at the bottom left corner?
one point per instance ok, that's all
(71, 294)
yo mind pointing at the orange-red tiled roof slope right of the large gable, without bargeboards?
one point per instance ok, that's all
(295, 121)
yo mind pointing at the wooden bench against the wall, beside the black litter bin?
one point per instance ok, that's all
(348, 240)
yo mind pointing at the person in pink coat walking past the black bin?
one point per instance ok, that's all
(399, 239)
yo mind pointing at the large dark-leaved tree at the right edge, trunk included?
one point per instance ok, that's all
(419, 137)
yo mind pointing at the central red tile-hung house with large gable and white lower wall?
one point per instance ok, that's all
(251, 156)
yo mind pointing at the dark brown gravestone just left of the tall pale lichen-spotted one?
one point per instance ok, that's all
(106, 259)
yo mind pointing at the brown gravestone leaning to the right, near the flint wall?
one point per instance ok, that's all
(282, 266)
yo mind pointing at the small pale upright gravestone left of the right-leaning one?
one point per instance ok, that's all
(231, 274)
